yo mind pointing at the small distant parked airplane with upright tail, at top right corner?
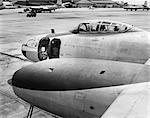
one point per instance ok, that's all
(136, 7)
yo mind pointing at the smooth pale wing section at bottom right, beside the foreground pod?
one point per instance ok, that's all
(132, 102)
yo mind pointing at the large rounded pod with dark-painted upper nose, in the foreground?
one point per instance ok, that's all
(76, 88)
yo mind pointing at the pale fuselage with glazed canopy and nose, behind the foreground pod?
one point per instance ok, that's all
(98, 39)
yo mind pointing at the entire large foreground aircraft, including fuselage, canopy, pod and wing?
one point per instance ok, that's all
(85, 84)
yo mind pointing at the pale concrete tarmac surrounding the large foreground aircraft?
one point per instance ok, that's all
(16, 28)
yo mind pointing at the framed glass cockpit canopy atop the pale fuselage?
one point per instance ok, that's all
(101, 27)
